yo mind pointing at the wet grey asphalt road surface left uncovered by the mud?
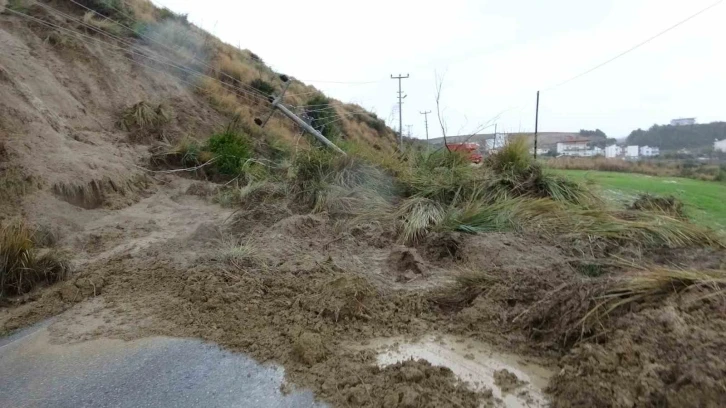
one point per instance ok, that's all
(152, 372)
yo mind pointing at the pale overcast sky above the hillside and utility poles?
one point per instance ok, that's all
(495, 55)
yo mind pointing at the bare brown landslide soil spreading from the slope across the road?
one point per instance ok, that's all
(149, 254)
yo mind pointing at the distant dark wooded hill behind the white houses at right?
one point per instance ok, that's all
(667, 137)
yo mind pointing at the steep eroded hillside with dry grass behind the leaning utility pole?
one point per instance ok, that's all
(68, 74)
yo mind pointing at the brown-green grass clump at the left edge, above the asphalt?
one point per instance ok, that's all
(22, 266)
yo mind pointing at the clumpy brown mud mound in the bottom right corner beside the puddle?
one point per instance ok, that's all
(666, 356)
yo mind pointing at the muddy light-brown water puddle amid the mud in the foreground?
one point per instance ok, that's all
(473, 362)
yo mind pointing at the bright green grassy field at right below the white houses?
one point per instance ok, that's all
(705, 200)
